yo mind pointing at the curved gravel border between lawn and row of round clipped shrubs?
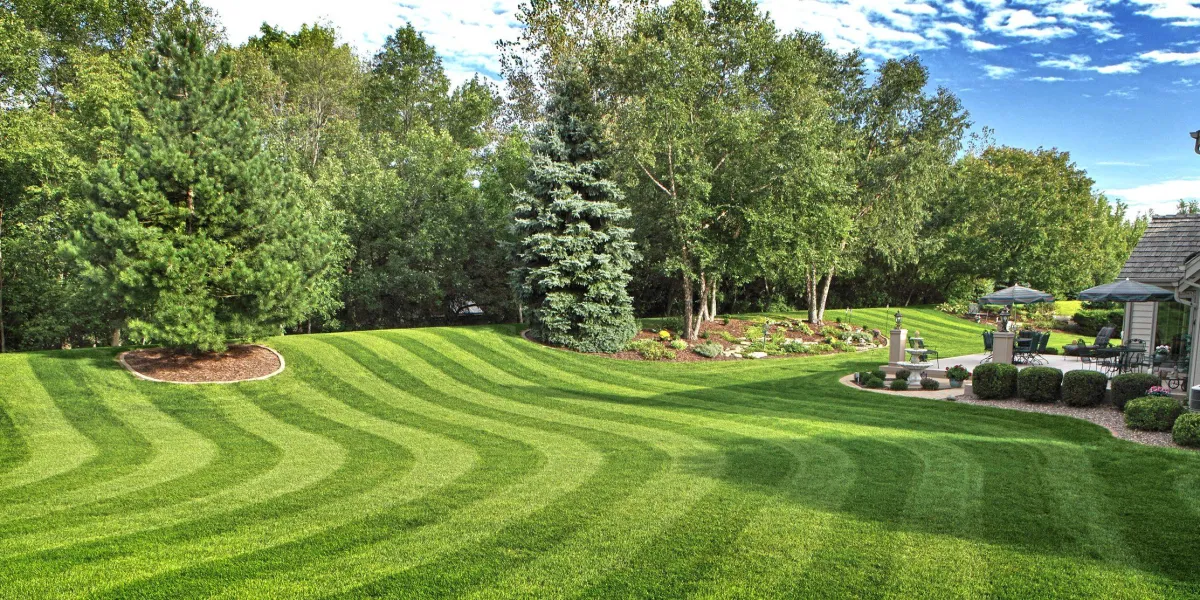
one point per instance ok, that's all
(1105, 416)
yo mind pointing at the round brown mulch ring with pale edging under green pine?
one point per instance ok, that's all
(245, 363)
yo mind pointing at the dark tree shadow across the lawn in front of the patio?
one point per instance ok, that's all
(1030, 482)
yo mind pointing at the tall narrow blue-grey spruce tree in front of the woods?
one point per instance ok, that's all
(574, 256)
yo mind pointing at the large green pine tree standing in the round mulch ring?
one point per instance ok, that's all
(197, 233)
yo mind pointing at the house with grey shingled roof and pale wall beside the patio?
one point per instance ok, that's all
(1168, 256)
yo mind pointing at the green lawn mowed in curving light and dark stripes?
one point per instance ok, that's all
(469, 463)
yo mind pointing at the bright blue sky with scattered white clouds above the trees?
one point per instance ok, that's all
(1112, 82)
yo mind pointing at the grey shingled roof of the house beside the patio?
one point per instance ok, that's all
(1168, 243)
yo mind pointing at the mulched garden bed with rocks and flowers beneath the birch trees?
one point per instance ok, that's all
(731, 339)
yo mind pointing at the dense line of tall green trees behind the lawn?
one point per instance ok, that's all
(161, 183)
